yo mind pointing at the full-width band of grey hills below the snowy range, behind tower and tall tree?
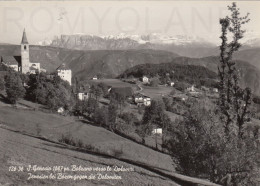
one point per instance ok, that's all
(111, 63)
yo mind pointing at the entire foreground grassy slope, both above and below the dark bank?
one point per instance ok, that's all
(17, 148)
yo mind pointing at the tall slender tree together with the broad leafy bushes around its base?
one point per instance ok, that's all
(216, 141)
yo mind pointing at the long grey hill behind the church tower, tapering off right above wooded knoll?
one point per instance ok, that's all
(85, 64)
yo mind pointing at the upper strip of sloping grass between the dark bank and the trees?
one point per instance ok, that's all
(52, 126)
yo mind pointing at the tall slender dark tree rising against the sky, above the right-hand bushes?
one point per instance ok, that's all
(234, 101)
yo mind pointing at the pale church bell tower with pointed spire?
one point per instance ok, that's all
(25, 60)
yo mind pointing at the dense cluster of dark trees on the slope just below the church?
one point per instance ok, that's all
(41, 88)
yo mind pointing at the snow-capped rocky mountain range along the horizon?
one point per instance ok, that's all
(183, 45)
